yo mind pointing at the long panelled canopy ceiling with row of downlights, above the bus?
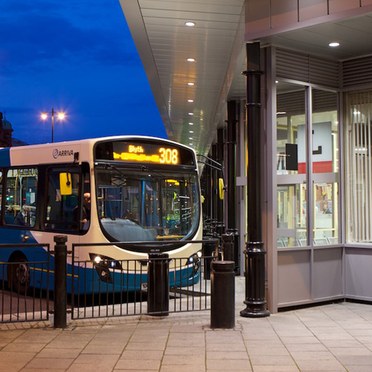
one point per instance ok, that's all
(165, 43)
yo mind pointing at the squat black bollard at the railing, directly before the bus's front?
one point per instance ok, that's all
(158, 284)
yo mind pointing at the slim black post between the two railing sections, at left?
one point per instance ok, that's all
(60, 295)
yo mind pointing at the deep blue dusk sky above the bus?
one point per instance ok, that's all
(77, 56)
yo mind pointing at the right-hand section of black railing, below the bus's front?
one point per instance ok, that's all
(158, 285)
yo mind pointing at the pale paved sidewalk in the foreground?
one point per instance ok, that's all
(336, 337)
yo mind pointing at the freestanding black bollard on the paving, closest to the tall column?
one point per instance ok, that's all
(223, 294)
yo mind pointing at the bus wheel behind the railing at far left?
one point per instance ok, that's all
(18, 274)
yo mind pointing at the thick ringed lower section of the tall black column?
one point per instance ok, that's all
(255, 282)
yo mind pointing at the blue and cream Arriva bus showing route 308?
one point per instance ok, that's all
(112, 190)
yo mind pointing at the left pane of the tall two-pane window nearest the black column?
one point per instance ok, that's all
(291, 166)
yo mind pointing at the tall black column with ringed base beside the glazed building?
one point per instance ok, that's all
(254, 252)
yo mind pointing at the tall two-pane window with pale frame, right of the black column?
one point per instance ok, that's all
(307, 166)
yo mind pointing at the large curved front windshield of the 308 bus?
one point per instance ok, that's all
(138, 205)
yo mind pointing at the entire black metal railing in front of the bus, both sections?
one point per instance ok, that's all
(154, 286)
